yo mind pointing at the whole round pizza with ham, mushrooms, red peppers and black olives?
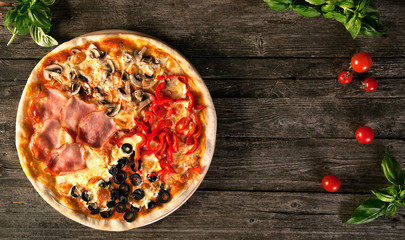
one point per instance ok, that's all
(115, 129)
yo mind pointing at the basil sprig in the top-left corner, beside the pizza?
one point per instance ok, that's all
(31, 16)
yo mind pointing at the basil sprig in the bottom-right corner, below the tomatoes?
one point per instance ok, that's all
(386, 200)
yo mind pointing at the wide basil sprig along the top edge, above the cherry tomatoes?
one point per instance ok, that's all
(357, 16)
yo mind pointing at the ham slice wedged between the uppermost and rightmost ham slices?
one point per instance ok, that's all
(73, 113)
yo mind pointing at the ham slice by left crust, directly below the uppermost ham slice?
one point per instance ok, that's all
(46, 139)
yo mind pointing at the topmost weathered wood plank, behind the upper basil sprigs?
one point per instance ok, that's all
(217, 28)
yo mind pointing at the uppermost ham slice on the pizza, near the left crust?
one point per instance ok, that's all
(48, 104)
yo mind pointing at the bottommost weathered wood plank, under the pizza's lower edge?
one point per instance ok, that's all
(210, 215)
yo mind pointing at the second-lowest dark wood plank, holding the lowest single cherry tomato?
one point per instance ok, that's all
(272, 164)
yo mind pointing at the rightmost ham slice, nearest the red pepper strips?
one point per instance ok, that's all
(95, 129)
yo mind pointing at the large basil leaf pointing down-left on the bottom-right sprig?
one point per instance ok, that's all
(368, 211)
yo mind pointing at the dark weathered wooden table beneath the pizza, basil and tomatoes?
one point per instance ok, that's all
(284, 120)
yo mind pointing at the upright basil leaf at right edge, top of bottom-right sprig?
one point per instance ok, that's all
(392, 170)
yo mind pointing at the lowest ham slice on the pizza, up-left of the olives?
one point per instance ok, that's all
(67, 158)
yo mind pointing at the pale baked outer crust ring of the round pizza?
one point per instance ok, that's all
(157, 214)
